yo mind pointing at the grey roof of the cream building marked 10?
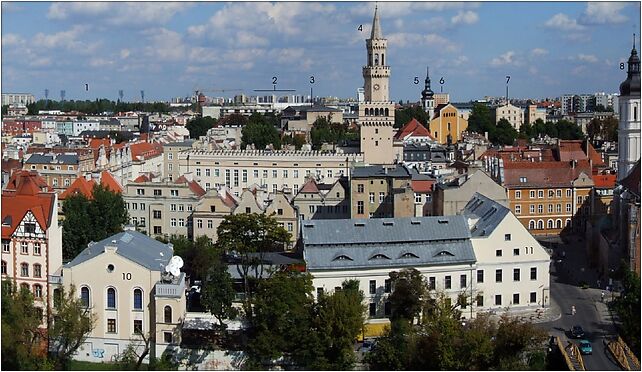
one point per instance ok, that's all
(131, 245)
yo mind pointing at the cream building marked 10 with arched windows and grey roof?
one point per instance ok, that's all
(121, 280)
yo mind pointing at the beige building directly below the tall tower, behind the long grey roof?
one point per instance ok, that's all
(381, 191)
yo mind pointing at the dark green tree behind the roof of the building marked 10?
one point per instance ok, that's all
(93, 219)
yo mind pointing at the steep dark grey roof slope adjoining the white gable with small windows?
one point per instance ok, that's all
(485, 213)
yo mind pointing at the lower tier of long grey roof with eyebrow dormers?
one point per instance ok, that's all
(389, 255)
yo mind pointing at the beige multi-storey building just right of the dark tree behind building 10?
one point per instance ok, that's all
(162, 207)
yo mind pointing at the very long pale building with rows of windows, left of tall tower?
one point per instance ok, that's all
(271, 170)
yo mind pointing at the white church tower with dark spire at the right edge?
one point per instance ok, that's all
(629, 128)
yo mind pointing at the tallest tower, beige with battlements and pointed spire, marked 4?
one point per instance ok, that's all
(377, 113)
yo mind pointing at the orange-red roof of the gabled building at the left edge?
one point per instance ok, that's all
(27, 196)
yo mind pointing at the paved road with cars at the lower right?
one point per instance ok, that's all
(591, 313)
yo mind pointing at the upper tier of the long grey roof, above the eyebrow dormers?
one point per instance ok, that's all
(384, 230)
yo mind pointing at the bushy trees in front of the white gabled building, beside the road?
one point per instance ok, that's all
(427, 333)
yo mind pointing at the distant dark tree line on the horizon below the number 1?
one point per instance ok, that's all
(97, 106)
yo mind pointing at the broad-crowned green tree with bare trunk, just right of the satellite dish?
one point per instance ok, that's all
(250, 235)
